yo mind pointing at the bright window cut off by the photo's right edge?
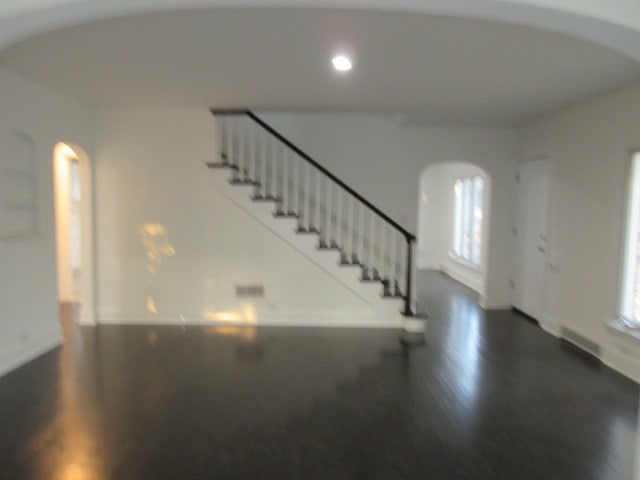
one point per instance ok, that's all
(630, 298)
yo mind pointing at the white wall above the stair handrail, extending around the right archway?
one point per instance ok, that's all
(384, 161)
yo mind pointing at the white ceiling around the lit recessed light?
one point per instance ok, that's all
(424, 67)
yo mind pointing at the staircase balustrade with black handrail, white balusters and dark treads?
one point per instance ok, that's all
(323, 208)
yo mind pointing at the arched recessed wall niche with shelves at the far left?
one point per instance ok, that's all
(18, 187)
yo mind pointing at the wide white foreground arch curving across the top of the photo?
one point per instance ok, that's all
(614, 23)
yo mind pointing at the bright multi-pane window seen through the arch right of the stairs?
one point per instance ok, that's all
(467, 219)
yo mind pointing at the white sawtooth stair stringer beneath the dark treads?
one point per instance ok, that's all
(386, 312)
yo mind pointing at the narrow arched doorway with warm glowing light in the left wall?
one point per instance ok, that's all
(74, 228)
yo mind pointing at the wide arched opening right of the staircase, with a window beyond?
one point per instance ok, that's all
(453, 223)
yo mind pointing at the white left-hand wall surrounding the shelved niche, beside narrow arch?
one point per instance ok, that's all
(28, 293)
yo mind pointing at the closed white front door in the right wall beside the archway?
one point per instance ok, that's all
(531, 237)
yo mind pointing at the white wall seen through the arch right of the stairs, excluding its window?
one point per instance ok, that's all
(435, 223)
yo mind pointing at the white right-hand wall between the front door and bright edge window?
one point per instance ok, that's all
(589, 146)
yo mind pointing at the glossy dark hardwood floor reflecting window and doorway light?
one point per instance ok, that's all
(489, 396)
